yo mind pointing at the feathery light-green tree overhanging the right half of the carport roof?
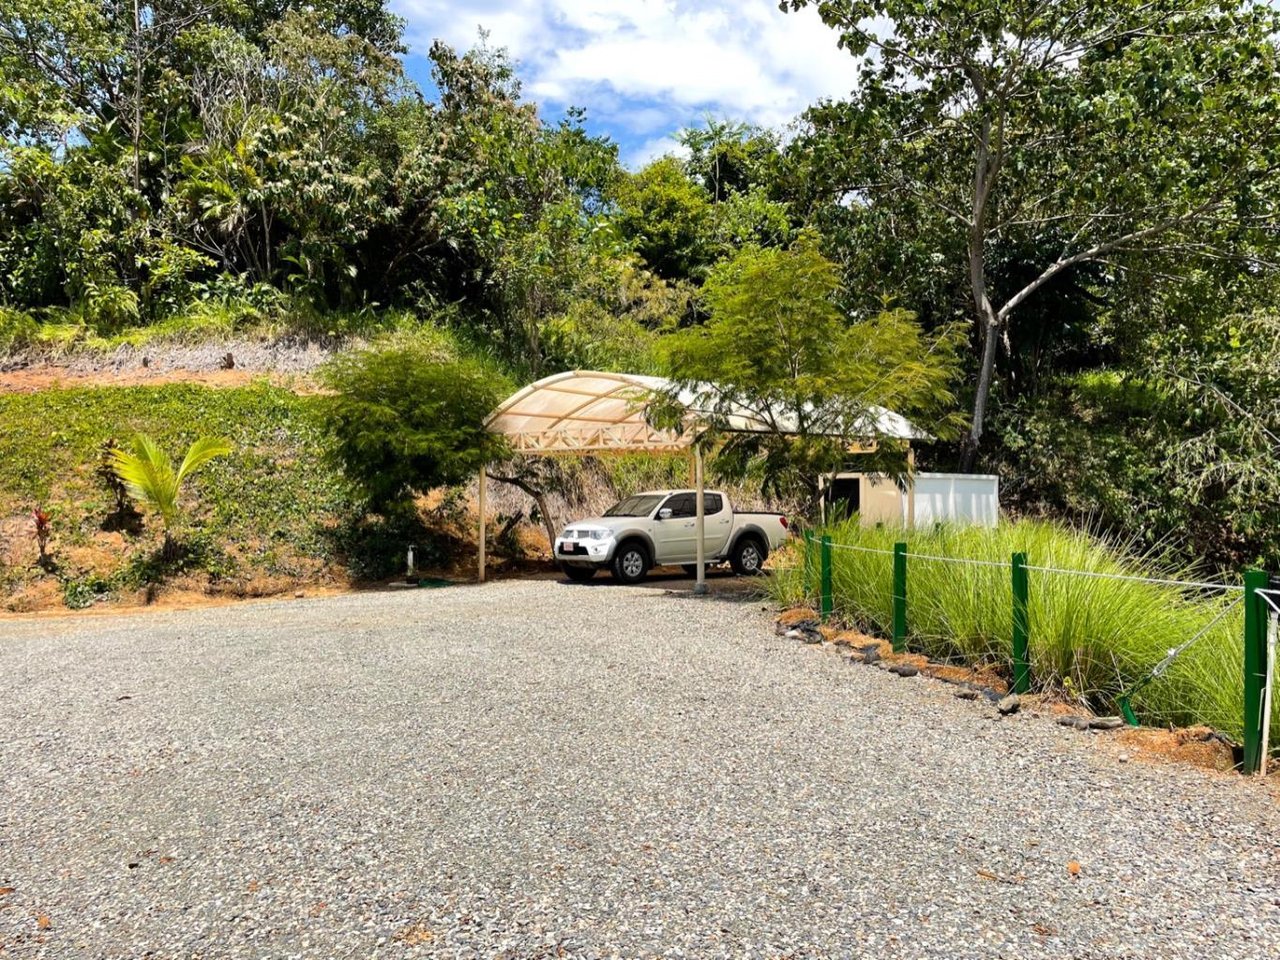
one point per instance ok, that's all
(779, 349)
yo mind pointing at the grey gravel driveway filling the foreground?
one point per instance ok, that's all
(533, 770)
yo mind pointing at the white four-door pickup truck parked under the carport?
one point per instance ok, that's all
(660, 528)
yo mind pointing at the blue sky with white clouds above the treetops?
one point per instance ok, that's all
(647, 68)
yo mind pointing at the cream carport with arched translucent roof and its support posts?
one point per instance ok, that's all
(591, 413)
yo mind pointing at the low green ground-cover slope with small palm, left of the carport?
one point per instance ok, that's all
(273, 515)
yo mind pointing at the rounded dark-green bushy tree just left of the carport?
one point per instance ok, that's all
(408, 419)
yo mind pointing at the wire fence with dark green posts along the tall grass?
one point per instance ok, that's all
(1031, 615)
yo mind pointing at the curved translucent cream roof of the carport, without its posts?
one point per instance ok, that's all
(587, 412)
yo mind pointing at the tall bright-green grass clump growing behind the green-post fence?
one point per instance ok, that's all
(1090, 638)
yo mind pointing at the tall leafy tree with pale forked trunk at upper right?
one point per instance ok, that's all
(1084, 131)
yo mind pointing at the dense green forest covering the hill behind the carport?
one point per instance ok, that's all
(1091, 189)
